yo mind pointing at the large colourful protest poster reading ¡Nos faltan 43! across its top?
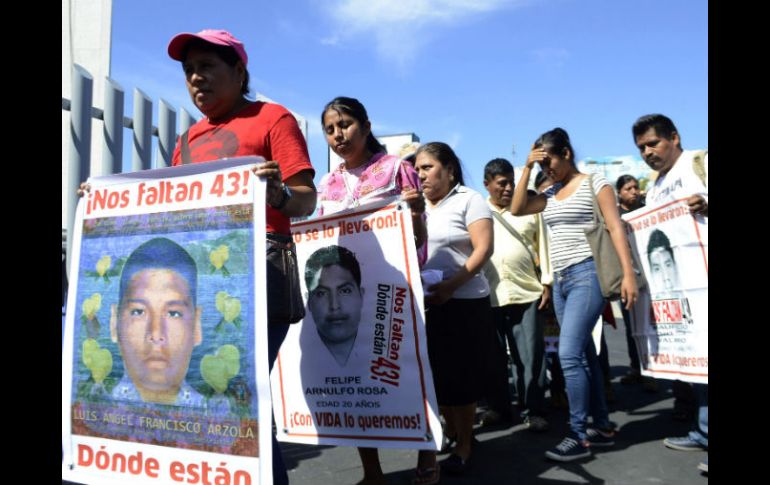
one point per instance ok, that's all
(164, 365)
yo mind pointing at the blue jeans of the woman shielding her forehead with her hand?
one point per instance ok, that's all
(578, 302)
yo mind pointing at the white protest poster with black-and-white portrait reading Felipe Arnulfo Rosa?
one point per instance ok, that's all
(355, 371)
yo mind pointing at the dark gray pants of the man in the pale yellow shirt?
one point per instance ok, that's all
(521, 328)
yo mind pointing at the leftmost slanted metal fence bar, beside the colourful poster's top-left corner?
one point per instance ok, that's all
(80, 143)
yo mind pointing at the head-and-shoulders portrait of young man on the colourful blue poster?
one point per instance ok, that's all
(156, 324)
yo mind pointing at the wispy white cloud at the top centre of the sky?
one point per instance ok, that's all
(401, 28)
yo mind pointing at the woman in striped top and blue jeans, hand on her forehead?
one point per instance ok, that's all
(567, 208)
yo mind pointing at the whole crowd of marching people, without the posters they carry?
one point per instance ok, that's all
(507, 259)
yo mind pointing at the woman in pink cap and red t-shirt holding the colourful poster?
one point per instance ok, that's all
(214, 64)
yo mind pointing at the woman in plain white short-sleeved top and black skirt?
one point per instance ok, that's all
(458, 313)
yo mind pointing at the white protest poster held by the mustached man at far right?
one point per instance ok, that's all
(670, 318)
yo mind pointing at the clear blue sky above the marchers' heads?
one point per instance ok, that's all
(486, 76)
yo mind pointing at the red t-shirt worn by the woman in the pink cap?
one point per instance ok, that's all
(264, 129)
